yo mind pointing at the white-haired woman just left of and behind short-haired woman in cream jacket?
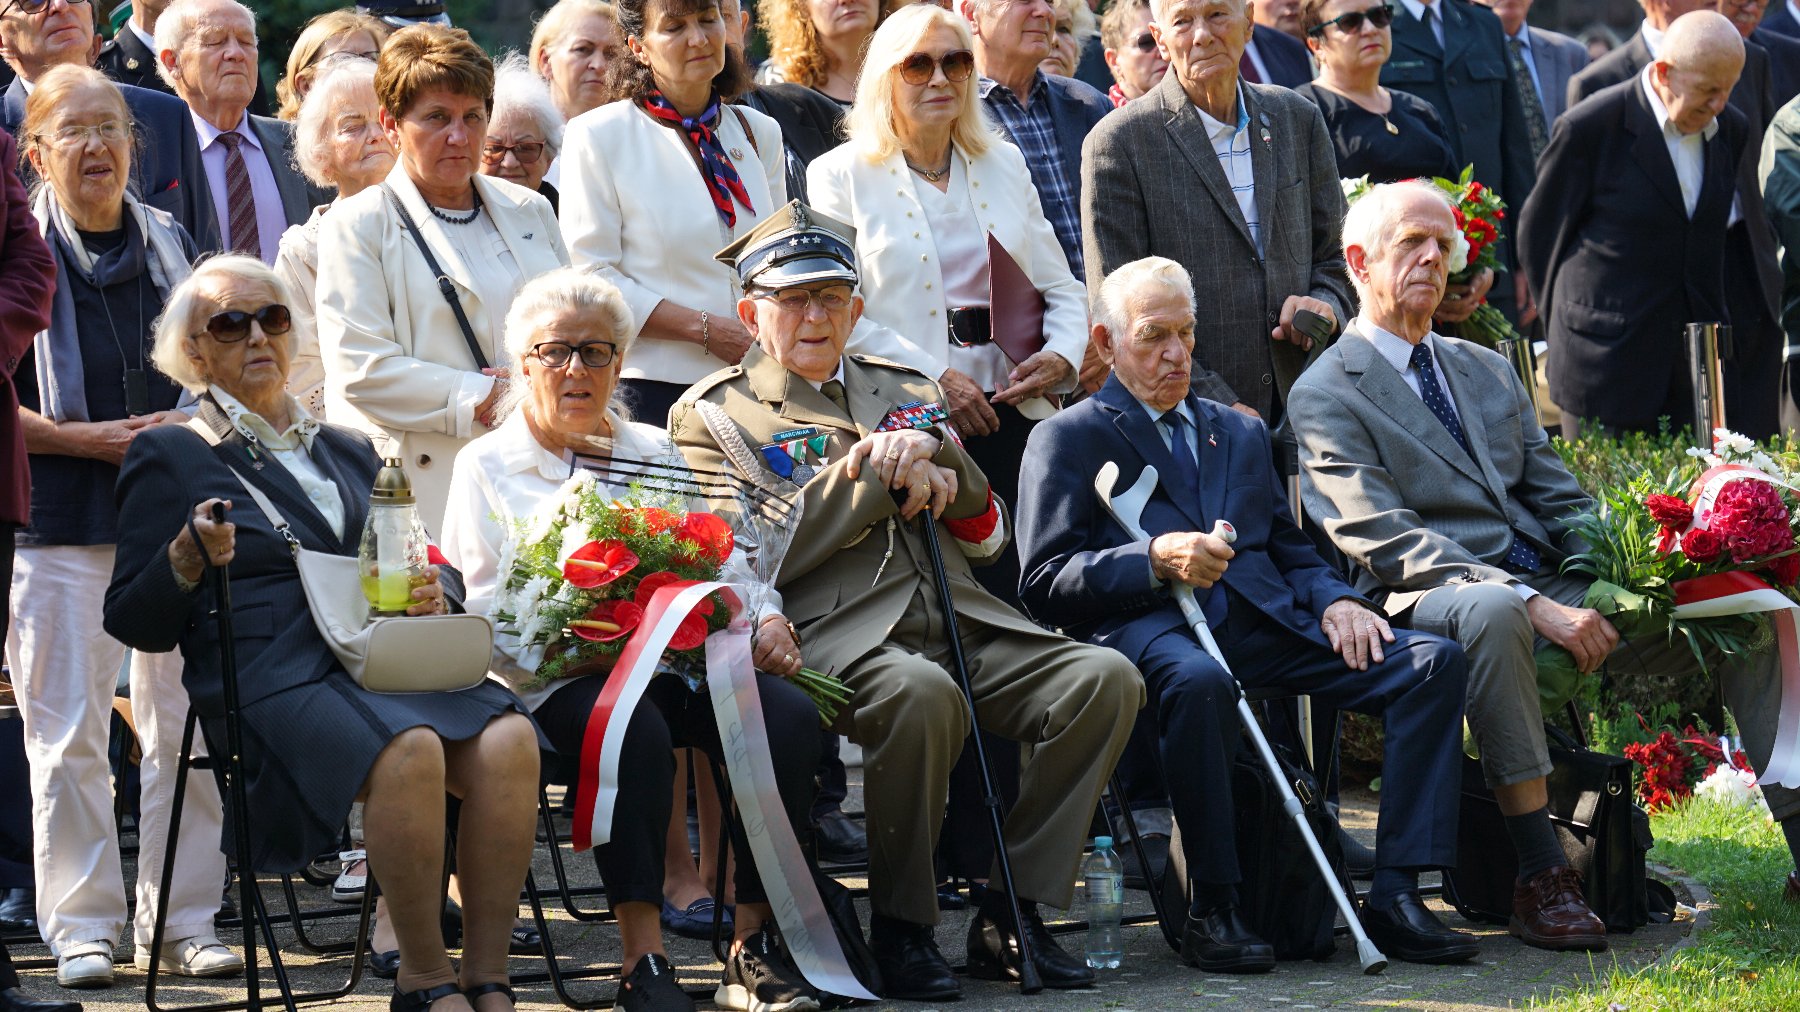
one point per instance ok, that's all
(339, 145)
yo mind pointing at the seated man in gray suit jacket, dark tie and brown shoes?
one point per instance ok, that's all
(1425, 464)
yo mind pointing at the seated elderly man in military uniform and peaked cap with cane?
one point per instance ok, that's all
(861, 447)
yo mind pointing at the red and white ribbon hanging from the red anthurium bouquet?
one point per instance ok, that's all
(732, 682)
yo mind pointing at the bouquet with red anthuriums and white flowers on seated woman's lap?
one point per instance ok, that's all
(577, 581)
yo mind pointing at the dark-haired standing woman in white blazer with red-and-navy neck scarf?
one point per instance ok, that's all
(638, 208)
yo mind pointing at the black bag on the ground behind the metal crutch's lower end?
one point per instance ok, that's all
(1282, 896)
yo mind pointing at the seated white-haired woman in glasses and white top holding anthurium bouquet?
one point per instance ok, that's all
(570, 332)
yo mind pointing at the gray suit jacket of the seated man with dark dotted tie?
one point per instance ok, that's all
(1401, 498)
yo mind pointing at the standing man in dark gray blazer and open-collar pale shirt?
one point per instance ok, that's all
(1237, 183)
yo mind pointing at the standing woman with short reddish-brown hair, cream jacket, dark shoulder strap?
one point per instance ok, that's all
(395, 354)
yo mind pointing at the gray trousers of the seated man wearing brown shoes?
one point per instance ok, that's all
(1495, 631)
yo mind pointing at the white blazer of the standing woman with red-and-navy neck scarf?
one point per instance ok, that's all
(636, 210)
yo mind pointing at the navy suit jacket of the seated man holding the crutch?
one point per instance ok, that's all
(1084, 574)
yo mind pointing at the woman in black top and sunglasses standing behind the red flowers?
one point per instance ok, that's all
(1383, 134)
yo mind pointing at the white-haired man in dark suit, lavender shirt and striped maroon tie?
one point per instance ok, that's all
(206, 51)
